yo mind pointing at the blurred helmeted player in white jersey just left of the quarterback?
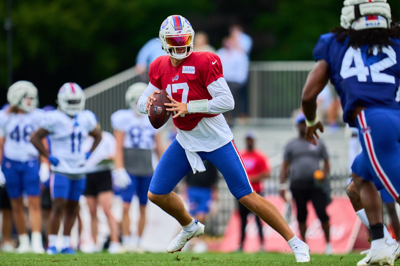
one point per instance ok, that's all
(136, 142)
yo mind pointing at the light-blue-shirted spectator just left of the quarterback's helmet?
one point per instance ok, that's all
(147, 54)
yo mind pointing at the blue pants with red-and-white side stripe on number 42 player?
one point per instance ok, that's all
(379, 162)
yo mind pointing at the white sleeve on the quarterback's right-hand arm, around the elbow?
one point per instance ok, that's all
(222, 100)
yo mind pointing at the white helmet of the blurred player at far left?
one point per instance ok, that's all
(24, 95)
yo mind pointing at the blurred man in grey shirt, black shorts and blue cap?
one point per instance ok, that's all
(302, 164)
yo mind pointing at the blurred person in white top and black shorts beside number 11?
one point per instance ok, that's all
(99, 190)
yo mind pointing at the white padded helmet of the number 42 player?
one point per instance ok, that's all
(365, 14)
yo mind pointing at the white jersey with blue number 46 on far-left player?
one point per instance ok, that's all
(17, 129)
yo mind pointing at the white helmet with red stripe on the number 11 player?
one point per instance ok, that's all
(71, 99)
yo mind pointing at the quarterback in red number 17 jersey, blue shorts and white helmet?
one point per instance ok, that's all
(199, 95)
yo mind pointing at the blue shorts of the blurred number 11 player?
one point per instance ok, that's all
(63, 187)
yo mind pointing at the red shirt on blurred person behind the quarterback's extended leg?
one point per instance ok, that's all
(256, 162)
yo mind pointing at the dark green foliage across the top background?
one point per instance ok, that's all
(56, 41)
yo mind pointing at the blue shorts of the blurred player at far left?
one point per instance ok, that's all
(21, 177)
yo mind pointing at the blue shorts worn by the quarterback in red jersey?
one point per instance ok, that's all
(174, 166)
